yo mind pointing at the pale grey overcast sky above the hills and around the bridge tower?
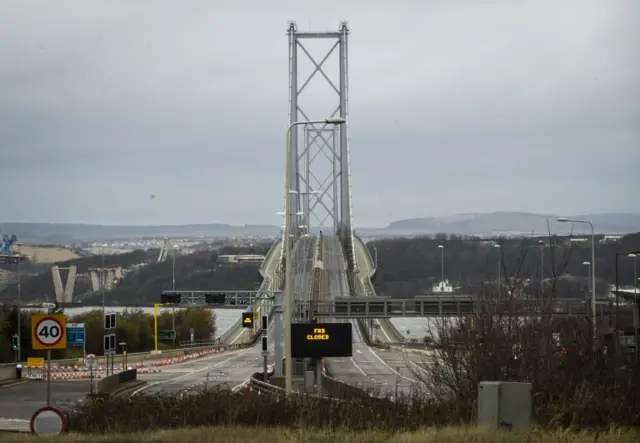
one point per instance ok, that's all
(454, 107)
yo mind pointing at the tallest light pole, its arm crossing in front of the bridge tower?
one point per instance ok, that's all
(288, 290)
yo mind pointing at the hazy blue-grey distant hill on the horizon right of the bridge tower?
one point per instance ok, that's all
(515, 223)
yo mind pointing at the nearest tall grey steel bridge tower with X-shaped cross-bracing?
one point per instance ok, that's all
(320, 168)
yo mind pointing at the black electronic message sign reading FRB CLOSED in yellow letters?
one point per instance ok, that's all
(321, 340)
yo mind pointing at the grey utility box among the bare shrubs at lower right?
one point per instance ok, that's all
(504, 405)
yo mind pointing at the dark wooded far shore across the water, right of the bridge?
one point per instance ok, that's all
(409, 267)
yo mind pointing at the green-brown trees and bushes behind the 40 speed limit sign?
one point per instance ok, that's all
(133, 327)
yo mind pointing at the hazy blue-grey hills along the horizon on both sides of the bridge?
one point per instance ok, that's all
(465, 224)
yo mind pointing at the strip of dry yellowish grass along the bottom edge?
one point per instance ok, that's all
(263, 435)
